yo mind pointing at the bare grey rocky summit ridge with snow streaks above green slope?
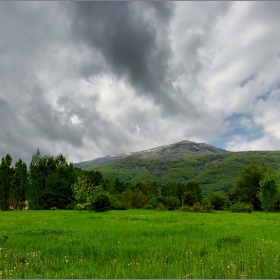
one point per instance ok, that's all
(181, 149)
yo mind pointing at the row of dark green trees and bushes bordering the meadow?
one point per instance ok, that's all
(53, 183)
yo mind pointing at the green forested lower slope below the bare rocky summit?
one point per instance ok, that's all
(212, 172)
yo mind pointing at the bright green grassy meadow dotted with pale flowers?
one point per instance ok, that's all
(139, 244)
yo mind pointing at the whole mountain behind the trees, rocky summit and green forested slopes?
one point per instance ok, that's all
(215, 169)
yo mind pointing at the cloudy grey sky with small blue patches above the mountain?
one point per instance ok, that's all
(90, 79)
